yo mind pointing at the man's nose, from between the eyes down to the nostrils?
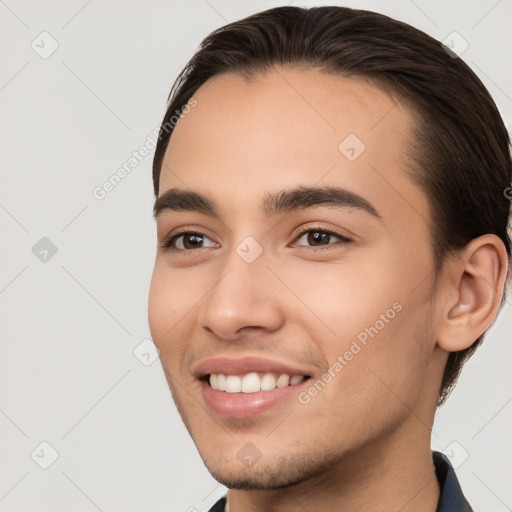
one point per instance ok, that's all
(246, 297)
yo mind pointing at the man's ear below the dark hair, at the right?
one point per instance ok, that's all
(473, 292)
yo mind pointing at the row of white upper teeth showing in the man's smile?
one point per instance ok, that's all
(252, 382)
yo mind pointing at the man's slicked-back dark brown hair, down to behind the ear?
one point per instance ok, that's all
(460, 148)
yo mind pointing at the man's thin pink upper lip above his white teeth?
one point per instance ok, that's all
(231, 366)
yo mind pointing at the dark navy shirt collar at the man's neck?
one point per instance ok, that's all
(451, 498)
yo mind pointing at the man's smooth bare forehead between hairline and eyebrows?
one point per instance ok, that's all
(289, 127)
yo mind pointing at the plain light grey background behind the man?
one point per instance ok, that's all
(69, 325)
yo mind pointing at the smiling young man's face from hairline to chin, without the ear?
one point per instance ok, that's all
(274, 287)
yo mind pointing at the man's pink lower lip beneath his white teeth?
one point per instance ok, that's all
(244, 405)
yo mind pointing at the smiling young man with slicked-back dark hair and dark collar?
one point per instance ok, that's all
(332, 247)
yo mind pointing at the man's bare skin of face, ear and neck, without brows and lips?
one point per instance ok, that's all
(363, 442)
